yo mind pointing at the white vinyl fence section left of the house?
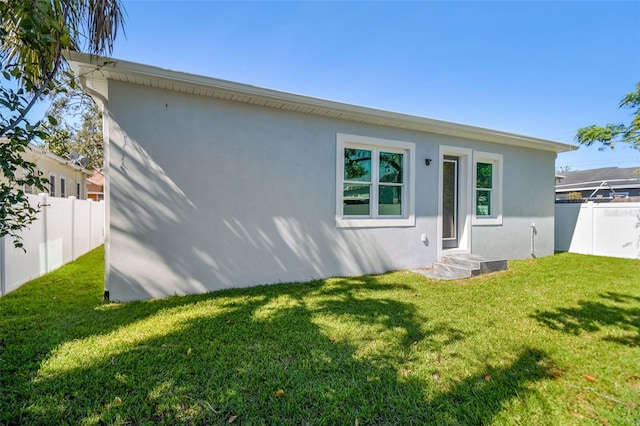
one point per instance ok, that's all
(66, 228)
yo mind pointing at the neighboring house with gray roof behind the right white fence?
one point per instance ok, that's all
(607, 183)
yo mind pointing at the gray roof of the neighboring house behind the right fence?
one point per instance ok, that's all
(606, 177)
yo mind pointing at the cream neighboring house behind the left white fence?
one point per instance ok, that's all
(65, 178)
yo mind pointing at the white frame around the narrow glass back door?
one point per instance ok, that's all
(465, 163)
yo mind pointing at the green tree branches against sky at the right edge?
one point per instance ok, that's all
(614, 133)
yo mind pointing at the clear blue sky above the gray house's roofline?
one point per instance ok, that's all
(536, 68)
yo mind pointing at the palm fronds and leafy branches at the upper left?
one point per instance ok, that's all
(33, 37)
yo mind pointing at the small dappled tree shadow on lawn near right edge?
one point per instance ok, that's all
(613, 310)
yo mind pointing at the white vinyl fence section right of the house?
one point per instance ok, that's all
(607, 229)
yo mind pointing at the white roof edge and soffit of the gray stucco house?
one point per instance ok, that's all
(96, 71)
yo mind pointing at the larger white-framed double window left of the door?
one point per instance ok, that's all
(375, 182)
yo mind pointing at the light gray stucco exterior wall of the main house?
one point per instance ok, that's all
(205, 194)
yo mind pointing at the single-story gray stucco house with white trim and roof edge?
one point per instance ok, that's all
(212, 184)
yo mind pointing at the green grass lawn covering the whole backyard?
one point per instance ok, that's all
(551, 341)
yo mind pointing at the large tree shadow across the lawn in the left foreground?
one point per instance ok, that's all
(284, 354)
